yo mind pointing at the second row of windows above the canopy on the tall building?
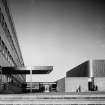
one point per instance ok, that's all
(5, 28)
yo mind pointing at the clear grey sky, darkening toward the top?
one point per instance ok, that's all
(59, 33)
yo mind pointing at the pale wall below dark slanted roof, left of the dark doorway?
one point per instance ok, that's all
(72, 84)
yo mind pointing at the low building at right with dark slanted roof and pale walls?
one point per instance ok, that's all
(88, 76)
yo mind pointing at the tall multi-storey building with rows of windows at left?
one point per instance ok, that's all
(10, 54)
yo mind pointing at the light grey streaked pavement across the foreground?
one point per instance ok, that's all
(54, 98)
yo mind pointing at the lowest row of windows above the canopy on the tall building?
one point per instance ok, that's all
(5, 52)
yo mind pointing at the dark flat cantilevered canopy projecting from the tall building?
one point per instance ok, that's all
(26, 70)
